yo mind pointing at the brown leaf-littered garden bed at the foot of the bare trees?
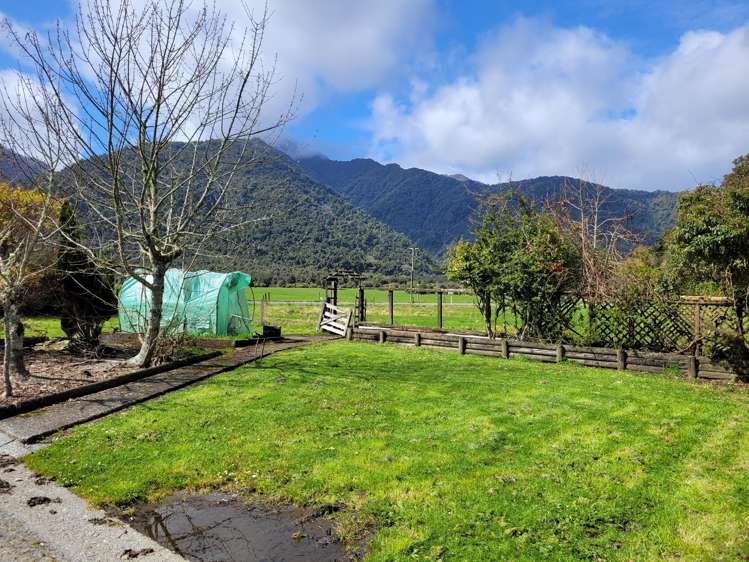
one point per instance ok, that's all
(54, 371)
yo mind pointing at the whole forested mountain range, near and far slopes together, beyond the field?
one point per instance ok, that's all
(321, 215)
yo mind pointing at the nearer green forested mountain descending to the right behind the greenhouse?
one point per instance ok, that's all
(305, 230)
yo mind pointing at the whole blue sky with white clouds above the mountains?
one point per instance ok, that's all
(639, 94)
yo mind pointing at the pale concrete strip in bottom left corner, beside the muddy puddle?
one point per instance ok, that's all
(40, 520)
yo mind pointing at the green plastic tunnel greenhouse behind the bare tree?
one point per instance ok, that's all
(199, 303)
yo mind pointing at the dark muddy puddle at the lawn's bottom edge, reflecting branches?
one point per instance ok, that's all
(220, 526)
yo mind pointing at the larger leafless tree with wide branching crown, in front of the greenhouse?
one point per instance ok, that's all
(153, 109)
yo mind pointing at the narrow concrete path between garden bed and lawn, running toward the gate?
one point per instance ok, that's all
(18, 432)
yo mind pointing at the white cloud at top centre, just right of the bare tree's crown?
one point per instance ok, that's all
(330, 46)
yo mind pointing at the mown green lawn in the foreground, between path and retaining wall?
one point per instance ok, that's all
(445, 457)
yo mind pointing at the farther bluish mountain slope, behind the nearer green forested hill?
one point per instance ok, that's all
(434, 209)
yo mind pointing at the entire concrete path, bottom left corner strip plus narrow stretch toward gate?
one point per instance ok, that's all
(40, 520)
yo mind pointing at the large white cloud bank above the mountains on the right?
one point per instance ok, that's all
(548, 100)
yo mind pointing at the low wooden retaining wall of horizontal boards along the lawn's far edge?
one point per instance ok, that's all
(693, 367)
